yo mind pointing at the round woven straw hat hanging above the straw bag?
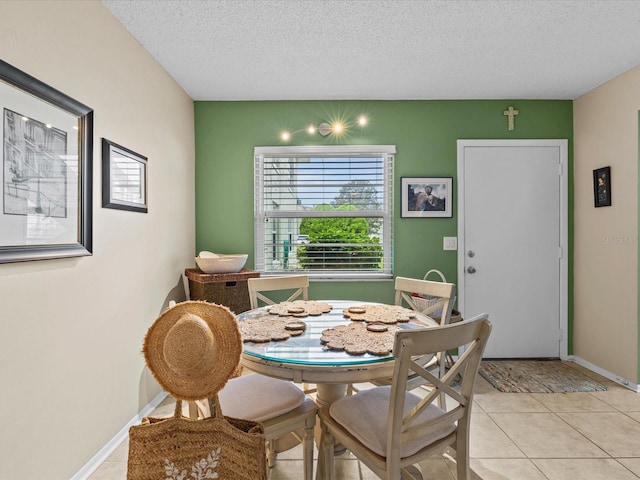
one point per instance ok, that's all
(192, 349)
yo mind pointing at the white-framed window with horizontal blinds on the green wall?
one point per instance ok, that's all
(324, 211)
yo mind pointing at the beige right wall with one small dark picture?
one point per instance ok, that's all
(606, 238)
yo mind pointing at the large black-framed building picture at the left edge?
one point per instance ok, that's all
(47, 159)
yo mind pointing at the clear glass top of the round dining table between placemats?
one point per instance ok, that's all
(307, 349)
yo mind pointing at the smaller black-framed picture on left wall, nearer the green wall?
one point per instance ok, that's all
(124, 178)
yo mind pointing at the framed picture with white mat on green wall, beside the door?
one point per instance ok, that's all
(426, 197)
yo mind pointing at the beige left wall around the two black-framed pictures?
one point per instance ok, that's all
(71, 372)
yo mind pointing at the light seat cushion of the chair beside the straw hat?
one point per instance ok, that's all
(258, 397)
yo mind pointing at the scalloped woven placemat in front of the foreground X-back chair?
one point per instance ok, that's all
(359, 338)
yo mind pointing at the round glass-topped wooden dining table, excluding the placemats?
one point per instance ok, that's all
(304, 359)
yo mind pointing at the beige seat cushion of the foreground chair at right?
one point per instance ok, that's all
(365, 416)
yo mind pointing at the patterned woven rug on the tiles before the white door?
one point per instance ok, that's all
(536, 376)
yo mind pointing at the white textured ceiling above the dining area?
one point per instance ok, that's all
(383, 49)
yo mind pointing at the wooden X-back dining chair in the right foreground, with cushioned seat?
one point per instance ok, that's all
(414, 428)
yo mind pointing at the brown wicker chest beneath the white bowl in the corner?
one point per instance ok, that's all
(228, 289)
